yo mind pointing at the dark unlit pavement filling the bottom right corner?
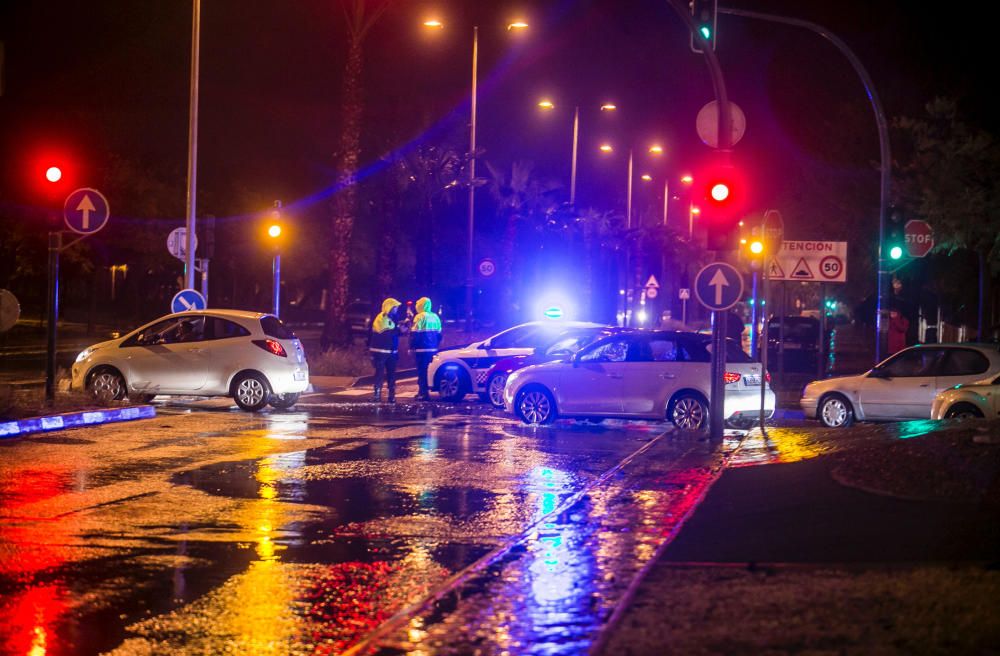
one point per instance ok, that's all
(783, 558)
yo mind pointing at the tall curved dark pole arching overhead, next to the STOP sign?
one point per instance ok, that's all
(885, 167)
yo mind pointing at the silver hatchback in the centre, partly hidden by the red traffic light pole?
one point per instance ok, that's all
(640, 375)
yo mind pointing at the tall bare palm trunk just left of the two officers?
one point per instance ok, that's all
(360, 16)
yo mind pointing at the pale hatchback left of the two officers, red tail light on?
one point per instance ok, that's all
(249, 356)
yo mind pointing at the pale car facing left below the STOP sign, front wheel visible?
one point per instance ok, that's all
(901, 387)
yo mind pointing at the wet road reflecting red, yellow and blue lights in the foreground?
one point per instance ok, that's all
(212, 531)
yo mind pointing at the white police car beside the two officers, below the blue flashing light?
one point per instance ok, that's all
(455, 372)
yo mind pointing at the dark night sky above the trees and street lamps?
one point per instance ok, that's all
(109, 78)
